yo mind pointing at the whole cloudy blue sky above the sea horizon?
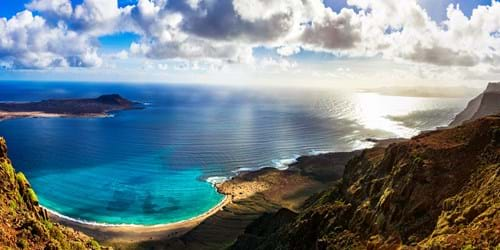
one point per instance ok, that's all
(330, 43)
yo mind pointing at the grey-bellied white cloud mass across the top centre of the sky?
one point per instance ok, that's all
(229, 29)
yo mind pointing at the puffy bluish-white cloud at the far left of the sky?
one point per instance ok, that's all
(26, 41)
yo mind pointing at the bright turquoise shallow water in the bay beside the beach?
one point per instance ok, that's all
(131, 198)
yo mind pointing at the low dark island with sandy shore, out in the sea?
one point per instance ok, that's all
(101, 106)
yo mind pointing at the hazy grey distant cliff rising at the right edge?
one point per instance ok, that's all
(487, 103)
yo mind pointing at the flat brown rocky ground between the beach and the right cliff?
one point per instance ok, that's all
(253, 194)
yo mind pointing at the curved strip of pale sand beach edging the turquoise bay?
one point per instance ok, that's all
(137, 233)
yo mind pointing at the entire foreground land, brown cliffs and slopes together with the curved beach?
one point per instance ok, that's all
(437, 190)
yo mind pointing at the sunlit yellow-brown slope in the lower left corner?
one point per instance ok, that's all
(23, 223)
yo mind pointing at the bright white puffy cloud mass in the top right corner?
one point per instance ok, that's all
(403, 30)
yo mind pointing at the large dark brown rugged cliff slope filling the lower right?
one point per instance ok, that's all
(438, 190)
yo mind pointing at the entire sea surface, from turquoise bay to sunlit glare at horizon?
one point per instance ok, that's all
(151, 166)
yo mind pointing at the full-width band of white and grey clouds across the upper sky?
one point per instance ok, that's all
(63, 35)
